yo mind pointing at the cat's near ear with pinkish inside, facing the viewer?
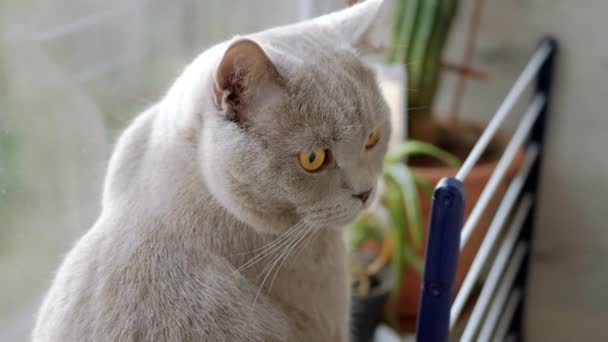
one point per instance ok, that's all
(245, 81)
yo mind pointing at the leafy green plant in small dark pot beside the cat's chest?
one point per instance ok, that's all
(391, 233)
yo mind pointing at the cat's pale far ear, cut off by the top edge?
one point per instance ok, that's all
(361, 25)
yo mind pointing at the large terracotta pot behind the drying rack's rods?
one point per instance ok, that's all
(407, 307)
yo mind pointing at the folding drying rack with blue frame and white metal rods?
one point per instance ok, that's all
(497, 311)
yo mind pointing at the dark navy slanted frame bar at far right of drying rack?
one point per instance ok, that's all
(544, 86)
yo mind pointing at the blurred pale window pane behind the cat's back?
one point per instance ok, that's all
(72, 75)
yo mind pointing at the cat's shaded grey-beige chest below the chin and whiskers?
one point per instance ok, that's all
(308, 281)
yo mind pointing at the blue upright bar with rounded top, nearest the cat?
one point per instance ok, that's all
(442, 249)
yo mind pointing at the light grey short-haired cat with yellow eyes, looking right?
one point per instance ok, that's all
(223, 204)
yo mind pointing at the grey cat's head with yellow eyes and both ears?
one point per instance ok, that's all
(299, 127)
